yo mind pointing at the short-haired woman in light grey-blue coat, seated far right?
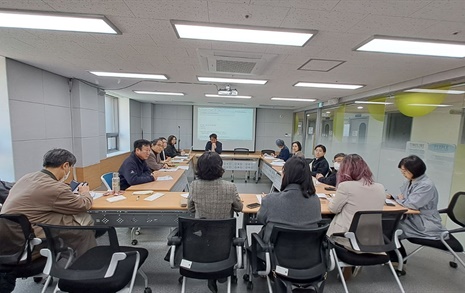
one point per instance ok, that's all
(418, 192)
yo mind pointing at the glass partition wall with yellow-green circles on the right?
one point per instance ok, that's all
(427, 122)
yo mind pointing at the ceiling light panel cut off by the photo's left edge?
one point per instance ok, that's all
(57, 21)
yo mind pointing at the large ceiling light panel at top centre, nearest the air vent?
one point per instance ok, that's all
(242, 34)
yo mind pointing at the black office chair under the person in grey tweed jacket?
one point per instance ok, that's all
(206, 249)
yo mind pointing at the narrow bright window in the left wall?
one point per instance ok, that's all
(111, 123)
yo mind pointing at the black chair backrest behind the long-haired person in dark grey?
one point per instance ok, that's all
(300, 249)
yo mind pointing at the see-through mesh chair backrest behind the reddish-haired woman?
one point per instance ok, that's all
(375, 230)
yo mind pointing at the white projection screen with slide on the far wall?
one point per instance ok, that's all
(235, 127)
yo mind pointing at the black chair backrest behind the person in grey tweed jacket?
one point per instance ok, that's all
(207, 241)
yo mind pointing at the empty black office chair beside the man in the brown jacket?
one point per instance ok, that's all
(106, 267)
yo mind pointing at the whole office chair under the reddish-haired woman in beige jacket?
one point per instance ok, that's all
(372, 234)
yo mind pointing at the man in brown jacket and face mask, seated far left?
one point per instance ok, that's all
(44, 198)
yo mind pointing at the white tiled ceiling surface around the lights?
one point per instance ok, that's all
(148, 44)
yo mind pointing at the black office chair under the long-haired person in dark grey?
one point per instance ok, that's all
(297, 257)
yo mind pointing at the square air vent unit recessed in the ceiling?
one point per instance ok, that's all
(234, 62)
